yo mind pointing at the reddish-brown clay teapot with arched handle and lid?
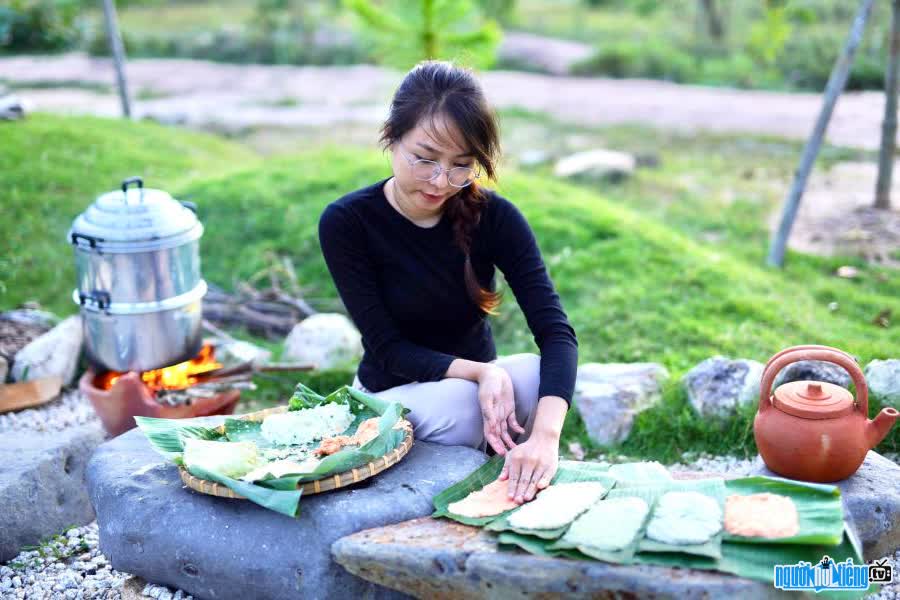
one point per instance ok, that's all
(815, 430)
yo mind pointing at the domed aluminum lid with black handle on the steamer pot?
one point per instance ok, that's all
(134, 214)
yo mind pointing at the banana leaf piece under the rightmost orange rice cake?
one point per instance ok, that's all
(818, 508)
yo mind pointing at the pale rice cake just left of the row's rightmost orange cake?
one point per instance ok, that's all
(683, 518)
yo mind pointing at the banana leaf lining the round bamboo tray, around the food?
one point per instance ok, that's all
(281, 494)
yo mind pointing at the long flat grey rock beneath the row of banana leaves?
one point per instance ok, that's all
(436, 558)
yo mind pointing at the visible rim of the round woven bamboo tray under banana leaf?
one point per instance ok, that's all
(325, 484)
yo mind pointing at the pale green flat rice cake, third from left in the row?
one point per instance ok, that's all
(610, 524)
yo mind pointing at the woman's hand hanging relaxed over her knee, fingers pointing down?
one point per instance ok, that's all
(498, 408)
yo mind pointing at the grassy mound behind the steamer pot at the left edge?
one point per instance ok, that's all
(52, 168)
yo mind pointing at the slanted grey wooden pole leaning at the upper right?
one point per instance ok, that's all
(836, 83)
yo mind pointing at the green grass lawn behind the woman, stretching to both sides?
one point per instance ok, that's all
(631, 262)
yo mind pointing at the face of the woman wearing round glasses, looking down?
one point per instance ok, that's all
(438, 140)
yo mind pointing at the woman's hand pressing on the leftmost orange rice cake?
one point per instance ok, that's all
(531, 465)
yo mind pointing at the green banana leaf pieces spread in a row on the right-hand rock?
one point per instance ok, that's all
(646, 517)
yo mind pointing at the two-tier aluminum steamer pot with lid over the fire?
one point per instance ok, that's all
(139, 285)
